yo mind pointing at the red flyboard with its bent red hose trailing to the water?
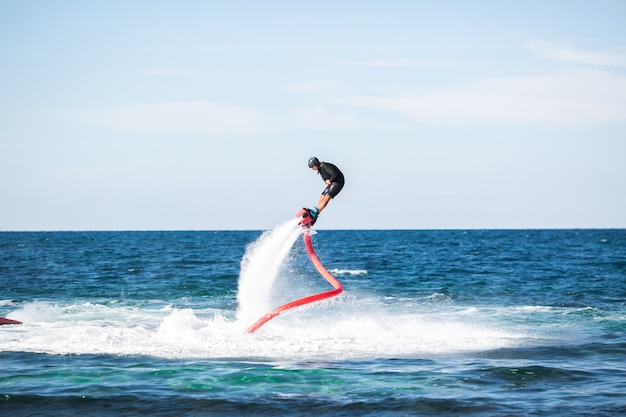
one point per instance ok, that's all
(306, 222)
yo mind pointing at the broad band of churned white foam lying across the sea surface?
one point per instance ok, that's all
(331, 330)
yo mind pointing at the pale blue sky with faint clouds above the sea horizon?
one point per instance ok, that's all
(202, 115)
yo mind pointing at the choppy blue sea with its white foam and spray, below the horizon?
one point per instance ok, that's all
(430, 323)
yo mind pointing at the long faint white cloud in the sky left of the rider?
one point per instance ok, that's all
(183, 117)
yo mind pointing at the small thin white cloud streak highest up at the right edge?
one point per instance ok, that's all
(565, 53)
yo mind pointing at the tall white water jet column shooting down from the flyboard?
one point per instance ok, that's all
(260, 266)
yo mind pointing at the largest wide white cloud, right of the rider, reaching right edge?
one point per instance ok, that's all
(568, 98)
